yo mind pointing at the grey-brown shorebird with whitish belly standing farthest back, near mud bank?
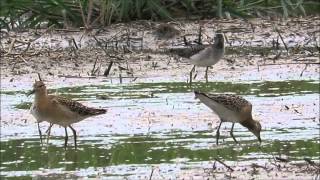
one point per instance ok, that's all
(202, 55)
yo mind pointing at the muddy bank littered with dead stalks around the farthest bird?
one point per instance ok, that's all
(61, 56)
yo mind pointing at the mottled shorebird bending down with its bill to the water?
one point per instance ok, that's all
(231, 108)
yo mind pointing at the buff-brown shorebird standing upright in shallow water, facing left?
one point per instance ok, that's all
(59, 110)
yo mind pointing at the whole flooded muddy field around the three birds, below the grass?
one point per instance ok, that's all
(154, 127)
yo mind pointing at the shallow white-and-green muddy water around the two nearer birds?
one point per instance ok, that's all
(162, 126)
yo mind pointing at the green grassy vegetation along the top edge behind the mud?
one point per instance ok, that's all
(20, 14)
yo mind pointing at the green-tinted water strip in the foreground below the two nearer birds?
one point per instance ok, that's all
(141, 150)
